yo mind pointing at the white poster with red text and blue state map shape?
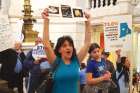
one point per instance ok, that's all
(117, 32)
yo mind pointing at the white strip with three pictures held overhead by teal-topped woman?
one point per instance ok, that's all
(66, 12)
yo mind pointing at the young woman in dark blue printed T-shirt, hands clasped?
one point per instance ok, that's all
(97, 73)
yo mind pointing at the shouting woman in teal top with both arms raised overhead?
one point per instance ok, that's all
(67, 73)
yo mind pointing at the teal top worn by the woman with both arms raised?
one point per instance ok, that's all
(66, 77)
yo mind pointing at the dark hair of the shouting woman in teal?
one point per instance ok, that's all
(60, 42)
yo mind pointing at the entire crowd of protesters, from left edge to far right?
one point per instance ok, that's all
(97, 75)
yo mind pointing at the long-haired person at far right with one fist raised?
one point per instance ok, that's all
(122, 72)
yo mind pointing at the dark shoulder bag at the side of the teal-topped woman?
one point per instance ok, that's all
(47, 85)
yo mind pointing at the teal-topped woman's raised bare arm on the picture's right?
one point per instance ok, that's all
(88, 29)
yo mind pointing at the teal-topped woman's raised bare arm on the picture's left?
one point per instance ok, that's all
(48, 49)
